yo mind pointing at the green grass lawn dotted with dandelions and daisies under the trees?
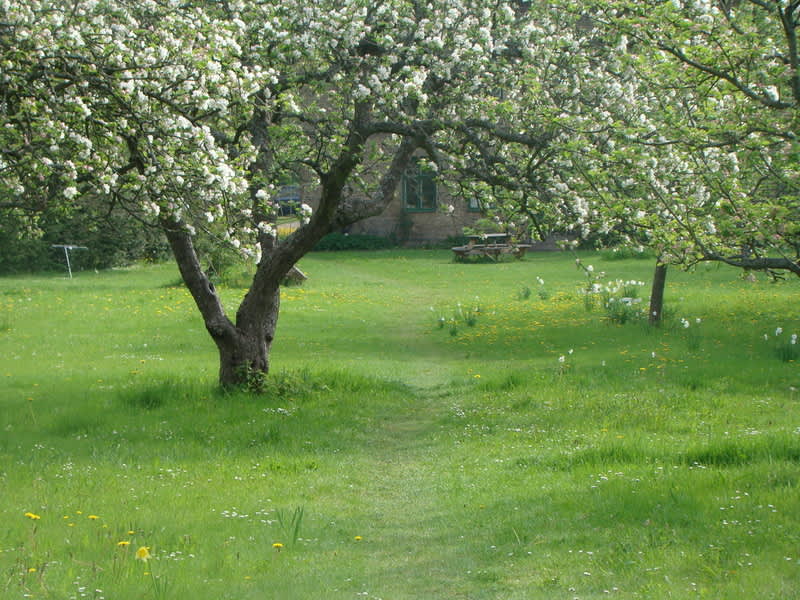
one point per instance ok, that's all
(431, 430)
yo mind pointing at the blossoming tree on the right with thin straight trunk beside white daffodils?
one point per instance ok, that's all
(672, 126)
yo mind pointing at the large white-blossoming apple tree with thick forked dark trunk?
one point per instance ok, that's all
(189, 113)
